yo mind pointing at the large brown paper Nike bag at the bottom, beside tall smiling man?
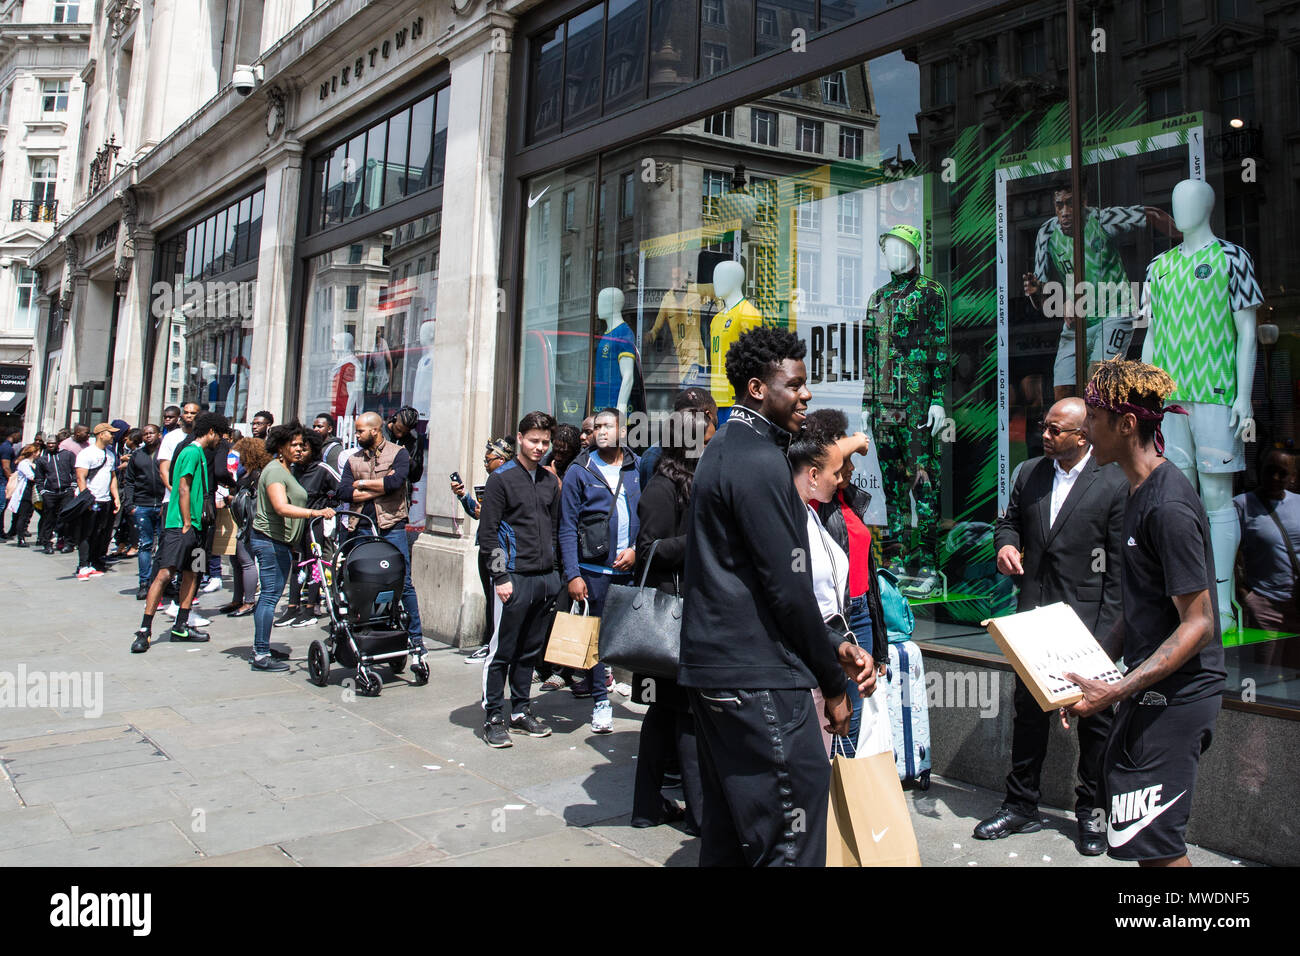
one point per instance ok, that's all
(869, 824)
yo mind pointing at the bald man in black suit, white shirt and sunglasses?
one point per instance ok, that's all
(1061, 539)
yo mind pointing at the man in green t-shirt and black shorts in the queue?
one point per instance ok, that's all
(180, 547)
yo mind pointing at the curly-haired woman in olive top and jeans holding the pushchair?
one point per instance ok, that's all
(281, 512)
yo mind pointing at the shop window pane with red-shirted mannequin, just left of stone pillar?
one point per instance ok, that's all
(369, 341)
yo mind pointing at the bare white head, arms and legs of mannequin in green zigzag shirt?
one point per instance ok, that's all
(1193, 205)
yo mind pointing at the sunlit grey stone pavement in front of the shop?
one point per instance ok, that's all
(194, 759)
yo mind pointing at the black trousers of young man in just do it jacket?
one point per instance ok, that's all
(518, 641)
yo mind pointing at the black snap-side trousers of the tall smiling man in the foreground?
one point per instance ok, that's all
(766, 778)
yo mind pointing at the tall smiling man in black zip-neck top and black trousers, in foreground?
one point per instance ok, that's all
(753, 642)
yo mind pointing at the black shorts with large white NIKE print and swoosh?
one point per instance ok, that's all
(1150, 773)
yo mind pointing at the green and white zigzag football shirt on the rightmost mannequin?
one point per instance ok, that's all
(1190, 301)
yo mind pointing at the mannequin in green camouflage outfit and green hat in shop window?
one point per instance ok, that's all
(904, 395)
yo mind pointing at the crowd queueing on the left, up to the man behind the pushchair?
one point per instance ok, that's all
(159, 492)
